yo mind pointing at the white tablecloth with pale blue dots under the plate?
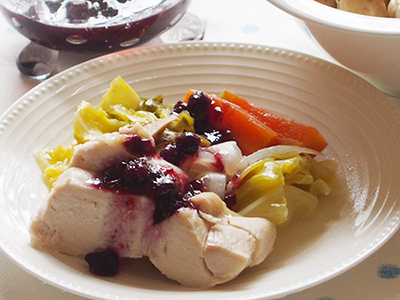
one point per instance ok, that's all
(250, 21)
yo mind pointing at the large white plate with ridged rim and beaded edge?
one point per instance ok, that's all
(360, 124)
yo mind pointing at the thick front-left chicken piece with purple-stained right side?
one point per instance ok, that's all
(78, 219)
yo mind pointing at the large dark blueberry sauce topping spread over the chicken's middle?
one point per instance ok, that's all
(145, 176)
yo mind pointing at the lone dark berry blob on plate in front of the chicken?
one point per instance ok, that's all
(103, 263)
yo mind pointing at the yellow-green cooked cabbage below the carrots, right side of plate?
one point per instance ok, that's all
(280, 183)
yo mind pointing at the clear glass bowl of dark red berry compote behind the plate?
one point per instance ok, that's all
(92, 25)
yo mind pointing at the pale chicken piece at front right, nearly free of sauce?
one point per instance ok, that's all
(213, 242)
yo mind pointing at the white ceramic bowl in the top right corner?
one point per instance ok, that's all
(367, 45)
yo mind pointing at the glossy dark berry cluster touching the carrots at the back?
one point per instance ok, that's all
(206, 114)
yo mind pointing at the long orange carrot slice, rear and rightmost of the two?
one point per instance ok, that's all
(289, 132)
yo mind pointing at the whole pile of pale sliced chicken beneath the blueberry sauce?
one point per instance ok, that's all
(201, 245)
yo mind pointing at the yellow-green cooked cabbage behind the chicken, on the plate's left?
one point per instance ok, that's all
(117, 109)
